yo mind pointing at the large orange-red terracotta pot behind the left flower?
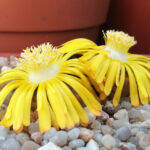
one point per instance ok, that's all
(24, 23)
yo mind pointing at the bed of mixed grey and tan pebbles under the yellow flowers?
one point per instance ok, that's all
(119, 128)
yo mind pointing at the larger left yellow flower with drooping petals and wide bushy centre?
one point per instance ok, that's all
(51, 76)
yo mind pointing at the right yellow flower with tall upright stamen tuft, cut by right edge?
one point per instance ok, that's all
(110, 64)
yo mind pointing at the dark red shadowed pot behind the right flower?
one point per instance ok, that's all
(132, 16)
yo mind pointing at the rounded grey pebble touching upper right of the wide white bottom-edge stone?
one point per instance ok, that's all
(60, 138)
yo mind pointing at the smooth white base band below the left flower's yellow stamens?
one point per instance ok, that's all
(45, 74)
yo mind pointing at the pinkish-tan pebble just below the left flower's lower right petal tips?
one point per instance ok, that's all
(86, 134)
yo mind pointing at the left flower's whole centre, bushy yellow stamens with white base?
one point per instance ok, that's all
(41, 63)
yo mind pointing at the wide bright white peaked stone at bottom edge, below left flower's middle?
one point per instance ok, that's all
(50, 146)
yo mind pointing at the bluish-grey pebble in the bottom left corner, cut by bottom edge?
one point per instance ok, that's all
(10, 144)
